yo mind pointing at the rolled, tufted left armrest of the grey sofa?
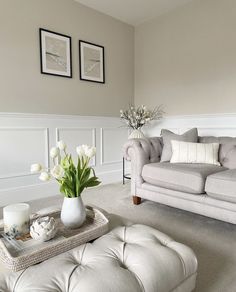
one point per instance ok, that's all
(141, 152)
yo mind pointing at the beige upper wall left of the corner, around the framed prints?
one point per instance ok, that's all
(24, 89)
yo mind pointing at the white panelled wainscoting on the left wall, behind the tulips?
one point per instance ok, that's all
(17, 184)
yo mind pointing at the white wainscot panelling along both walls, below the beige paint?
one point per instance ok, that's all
(27, 138)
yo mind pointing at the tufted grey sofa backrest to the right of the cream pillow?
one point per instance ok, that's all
(227, 151)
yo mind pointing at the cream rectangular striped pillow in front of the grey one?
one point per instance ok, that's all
(185, 152)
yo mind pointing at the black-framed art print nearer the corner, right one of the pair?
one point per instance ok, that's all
(91, 62)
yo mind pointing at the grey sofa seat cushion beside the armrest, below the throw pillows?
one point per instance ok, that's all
(184, 177)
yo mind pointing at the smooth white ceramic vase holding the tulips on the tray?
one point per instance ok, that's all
(73, 212)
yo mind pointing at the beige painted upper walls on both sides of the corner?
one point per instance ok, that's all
(185, 59)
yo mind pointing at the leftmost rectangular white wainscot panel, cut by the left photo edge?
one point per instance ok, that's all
(22, 146)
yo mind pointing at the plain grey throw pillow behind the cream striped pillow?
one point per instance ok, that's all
(167, 136)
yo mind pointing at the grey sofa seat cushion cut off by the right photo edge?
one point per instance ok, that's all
(222, 185)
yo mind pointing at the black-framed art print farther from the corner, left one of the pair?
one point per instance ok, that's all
(55, 53)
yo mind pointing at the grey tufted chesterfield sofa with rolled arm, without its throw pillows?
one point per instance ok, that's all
(205, 189)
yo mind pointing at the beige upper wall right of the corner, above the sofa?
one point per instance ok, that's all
(186, 59)
